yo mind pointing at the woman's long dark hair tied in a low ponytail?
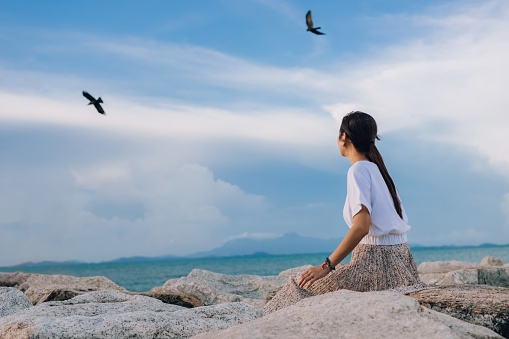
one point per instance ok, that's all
(361, 129)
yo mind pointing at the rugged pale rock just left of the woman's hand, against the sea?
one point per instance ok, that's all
(216, 288)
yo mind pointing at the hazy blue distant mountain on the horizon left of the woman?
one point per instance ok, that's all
(290, 243)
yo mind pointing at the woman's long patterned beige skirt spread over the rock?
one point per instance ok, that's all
(371, 268)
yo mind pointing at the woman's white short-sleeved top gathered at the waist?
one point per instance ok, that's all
(366, 186)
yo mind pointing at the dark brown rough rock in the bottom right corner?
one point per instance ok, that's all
(477, 304)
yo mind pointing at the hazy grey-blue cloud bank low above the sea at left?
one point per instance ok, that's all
(146, 212)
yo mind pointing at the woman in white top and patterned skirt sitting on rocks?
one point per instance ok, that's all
(381, 258)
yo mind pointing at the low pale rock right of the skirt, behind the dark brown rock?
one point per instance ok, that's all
(446, 273)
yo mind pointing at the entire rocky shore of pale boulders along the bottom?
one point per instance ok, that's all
(467, 300)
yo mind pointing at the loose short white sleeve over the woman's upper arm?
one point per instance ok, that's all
(359, 190)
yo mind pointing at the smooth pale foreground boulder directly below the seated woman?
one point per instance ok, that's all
(349, 314)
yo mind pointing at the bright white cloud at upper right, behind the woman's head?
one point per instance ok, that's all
(453, 80)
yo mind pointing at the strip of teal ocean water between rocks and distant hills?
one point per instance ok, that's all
(143, 276)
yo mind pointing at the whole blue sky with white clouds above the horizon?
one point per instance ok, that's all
(222, 118)
